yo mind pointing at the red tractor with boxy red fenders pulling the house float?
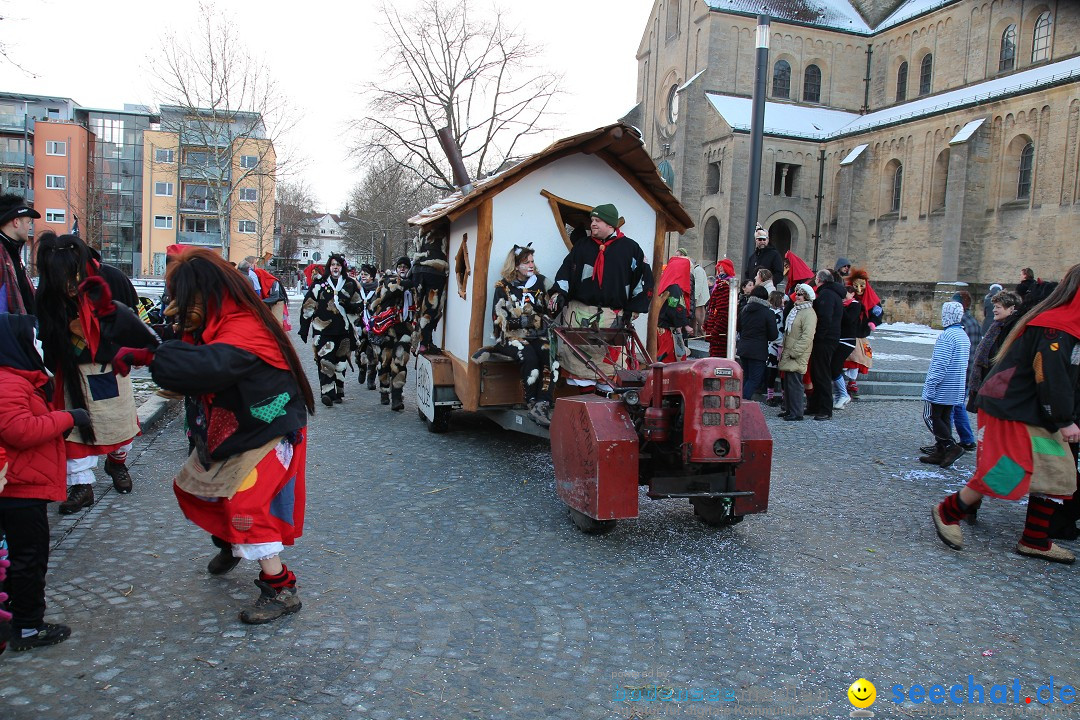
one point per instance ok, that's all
(682, 430)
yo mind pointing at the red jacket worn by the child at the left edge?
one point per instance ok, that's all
(33, 438)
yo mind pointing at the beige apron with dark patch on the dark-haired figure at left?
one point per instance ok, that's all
(111, 403)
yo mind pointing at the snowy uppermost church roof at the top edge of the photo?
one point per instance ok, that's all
(833, 15)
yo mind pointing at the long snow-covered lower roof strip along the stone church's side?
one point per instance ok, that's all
(825, 125)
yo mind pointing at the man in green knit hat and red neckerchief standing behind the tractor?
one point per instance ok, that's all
(605, 283)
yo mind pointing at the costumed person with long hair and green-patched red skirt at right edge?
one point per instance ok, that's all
(1028, 416)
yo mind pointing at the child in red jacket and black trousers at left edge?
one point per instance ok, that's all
(33, 439)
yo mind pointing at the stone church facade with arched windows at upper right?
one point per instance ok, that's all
(963, 208)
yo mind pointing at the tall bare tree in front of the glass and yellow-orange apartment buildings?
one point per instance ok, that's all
(228, 112)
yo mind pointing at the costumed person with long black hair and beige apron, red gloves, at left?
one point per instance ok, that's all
(76, 350)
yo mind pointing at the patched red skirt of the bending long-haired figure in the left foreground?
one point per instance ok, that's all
(266, 510)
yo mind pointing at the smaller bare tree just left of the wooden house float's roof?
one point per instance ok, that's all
(381, 206)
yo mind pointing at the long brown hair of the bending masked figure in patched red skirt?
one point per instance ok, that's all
(200, 274)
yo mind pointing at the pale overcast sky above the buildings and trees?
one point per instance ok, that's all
(320, 51)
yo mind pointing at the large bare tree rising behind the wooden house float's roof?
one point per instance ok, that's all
(447, 67)
